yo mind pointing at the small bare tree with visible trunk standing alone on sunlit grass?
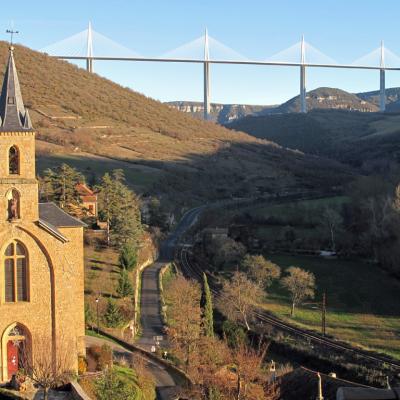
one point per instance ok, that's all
(300, 284)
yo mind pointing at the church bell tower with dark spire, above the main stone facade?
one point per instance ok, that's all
(18, 184)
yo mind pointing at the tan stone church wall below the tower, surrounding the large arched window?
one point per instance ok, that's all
(55, 309)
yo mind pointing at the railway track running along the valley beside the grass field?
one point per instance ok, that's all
(192, 270)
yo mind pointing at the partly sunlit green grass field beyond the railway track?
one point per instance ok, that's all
(362, 302)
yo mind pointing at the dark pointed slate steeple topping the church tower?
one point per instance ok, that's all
(13, 115)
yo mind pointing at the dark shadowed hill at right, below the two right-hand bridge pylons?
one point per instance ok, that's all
(370, 141)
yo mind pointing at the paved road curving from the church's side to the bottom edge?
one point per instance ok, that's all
(163, 380)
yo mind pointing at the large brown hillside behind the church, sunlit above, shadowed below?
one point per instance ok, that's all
(97, 125)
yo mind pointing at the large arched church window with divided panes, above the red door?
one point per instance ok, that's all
(15, 273)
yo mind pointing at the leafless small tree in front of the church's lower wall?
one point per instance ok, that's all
(47, 370)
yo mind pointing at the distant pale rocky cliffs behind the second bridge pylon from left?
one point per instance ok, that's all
(221, 113)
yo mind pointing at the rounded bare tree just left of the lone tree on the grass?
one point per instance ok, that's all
(260, 270)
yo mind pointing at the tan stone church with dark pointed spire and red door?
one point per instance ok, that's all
(41, 251)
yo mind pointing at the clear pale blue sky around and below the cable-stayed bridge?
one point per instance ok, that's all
(345, 30)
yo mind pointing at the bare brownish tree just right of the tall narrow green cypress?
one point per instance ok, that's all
(238, 298)
